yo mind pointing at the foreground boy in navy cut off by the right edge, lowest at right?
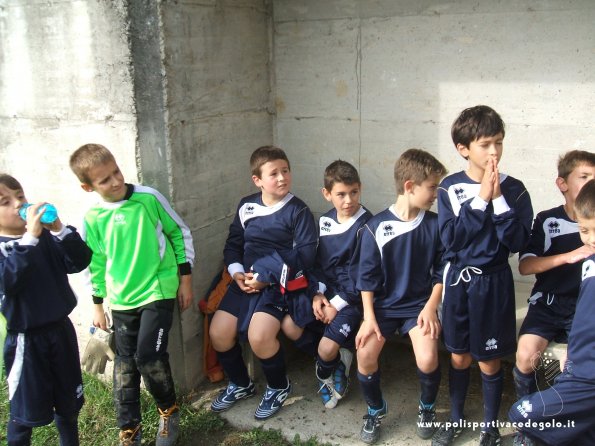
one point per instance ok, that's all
(563, 414)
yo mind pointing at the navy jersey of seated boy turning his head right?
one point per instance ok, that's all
(400, 261)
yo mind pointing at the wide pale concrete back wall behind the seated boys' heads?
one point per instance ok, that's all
(365, 80)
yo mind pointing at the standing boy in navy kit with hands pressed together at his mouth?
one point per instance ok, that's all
(484, 217)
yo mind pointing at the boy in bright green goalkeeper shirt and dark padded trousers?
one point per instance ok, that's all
(142, 260)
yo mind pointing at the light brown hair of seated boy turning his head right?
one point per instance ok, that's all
(416, 165)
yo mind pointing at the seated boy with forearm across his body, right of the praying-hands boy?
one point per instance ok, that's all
(554, 255)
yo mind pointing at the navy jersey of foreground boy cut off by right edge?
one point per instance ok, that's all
(581, 340)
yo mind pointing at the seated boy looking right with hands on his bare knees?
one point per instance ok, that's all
(399, 276)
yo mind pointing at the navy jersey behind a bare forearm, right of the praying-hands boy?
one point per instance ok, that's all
(555, 233)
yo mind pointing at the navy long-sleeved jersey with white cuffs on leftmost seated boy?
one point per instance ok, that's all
(277, 242)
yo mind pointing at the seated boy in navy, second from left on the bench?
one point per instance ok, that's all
(336, 303)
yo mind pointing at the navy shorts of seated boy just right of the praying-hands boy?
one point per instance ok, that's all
(549, 318)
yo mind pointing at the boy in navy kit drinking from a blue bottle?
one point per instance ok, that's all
(40, 350)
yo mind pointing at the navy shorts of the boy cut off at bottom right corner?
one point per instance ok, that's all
(561, 414)
